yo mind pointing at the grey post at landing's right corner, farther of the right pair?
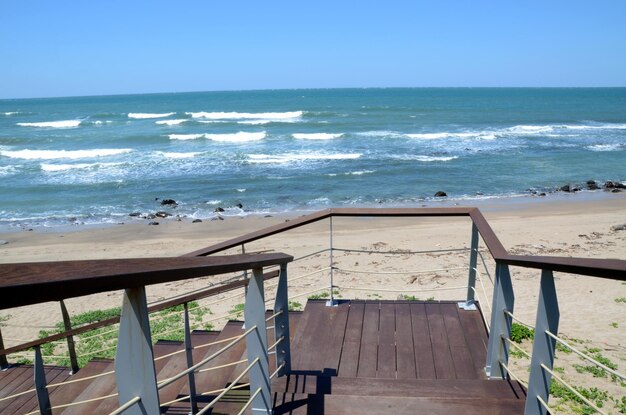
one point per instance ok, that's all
(503, 300)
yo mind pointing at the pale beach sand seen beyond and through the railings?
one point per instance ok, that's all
(569, 225)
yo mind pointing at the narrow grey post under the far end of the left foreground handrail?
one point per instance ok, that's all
(281, 323)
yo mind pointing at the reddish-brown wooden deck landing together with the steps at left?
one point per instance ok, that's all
(378, 357)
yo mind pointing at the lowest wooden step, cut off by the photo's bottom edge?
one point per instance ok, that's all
(301, 404)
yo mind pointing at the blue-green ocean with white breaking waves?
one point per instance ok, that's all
(95, 160)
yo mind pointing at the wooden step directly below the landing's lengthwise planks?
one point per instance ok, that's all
(436, 388)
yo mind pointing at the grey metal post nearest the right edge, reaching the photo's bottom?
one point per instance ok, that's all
(543, 346)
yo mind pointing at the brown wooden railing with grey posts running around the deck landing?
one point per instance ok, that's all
(22, 284)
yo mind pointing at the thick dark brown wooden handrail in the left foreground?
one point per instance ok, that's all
(38, 282)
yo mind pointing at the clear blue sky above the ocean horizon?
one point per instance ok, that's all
(69, 48)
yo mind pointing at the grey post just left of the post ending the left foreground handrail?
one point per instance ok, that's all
(256, 343)
